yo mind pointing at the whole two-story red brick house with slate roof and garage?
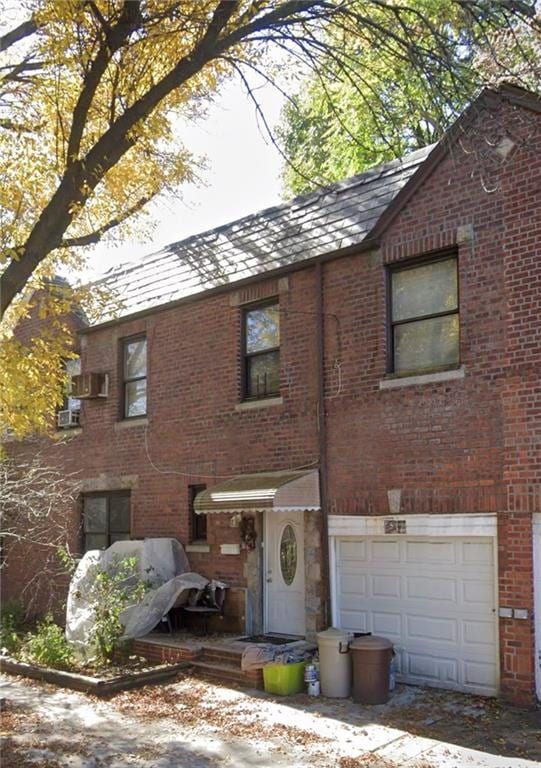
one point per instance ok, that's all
(335, 405)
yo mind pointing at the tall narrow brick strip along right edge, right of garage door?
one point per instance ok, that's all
(521, 403)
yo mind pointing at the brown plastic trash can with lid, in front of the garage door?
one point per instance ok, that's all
(371, 663)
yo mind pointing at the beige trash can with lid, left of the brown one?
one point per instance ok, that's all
(335, 663)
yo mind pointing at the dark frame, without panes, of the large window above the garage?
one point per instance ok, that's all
(400, 266)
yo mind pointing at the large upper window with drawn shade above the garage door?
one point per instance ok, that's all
(424, 315)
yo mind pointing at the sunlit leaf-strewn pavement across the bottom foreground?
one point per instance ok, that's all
(195, 724)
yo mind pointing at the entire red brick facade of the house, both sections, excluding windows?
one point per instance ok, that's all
(469, 445)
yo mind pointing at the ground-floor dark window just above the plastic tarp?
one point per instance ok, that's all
(106, 519)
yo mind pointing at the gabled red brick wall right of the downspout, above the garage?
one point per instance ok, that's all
(470, 445)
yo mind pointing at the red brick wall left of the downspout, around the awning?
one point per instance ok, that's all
(194, 434)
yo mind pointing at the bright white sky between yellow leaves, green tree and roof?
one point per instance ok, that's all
(242, 176)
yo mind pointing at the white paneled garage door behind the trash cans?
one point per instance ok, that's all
(434, 598)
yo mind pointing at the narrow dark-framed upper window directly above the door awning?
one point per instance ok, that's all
(261, 352)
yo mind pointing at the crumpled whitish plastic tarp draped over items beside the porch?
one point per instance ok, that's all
(160, 562)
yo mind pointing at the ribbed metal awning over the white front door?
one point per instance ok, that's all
(281, 491)
